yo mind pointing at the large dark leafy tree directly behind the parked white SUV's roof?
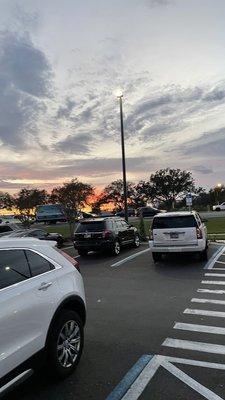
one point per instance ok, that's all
(171, 185)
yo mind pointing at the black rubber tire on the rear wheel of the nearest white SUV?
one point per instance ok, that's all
(54, 365)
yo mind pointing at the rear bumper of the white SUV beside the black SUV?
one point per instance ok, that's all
(200, 246)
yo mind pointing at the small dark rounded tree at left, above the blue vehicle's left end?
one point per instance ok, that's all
(28, 199)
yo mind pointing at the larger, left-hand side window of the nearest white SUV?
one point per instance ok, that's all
(13, 267)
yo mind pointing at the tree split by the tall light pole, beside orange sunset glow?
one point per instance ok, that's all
(114, 193)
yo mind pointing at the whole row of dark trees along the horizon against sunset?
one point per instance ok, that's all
(165, 188)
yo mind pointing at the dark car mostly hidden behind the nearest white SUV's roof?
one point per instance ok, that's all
(39, 234)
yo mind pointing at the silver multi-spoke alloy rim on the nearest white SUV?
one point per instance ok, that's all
(68, 345)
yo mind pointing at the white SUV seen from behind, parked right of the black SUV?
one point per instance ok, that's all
(177, 232)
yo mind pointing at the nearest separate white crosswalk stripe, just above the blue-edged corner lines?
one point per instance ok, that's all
(196, 346)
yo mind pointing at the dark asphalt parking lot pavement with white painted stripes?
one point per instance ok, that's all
(138, 308)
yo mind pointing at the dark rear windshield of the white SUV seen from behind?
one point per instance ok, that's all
(174, 222)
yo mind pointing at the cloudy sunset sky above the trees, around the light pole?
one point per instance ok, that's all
(60, 64)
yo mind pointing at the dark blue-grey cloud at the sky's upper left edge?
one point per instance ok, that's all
(25, 81)
